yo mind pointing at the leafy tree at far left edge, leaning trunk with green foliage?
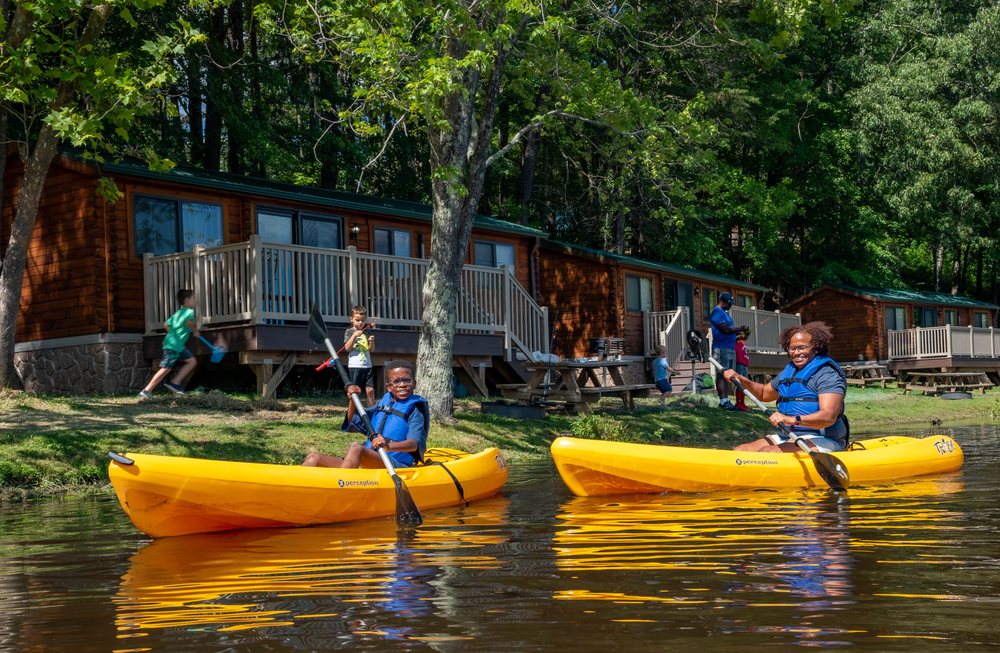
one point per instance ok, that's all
(61, 82)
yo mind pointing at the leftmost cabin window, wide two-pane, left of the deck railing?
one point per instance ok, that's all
(167, 226)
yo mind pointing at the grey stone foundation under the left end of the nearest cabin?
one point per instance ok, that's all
(105, 365)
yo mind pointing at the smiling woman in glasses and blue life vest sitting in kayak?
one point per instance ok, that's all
(810, 394)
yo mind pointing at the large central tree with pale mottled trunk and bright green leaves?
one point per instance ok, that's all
(442, 68)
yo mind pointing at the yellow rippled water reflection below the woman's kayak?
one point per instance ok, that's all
(791, 554)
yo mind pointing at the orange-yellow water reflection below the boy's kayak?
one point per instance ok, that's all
(321, 586)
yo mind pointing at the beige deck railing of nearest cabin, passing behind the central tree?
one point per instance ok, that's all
(266, 283)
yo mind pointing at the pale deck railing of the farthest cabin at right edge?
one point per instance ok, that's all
(944, 342)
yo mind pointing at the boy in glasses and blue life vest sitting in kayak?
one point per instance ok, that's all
(401, 420)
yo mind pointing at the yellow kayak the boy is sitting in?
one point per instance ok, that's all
(166, 495)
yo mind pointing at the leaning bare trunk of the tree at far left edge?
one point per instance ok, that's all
(36, 169)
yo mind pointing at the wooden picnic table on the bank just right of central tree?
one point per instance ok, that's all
(575, 384)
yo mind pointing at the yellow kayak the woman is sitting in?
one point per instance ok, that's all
(596, 467)
